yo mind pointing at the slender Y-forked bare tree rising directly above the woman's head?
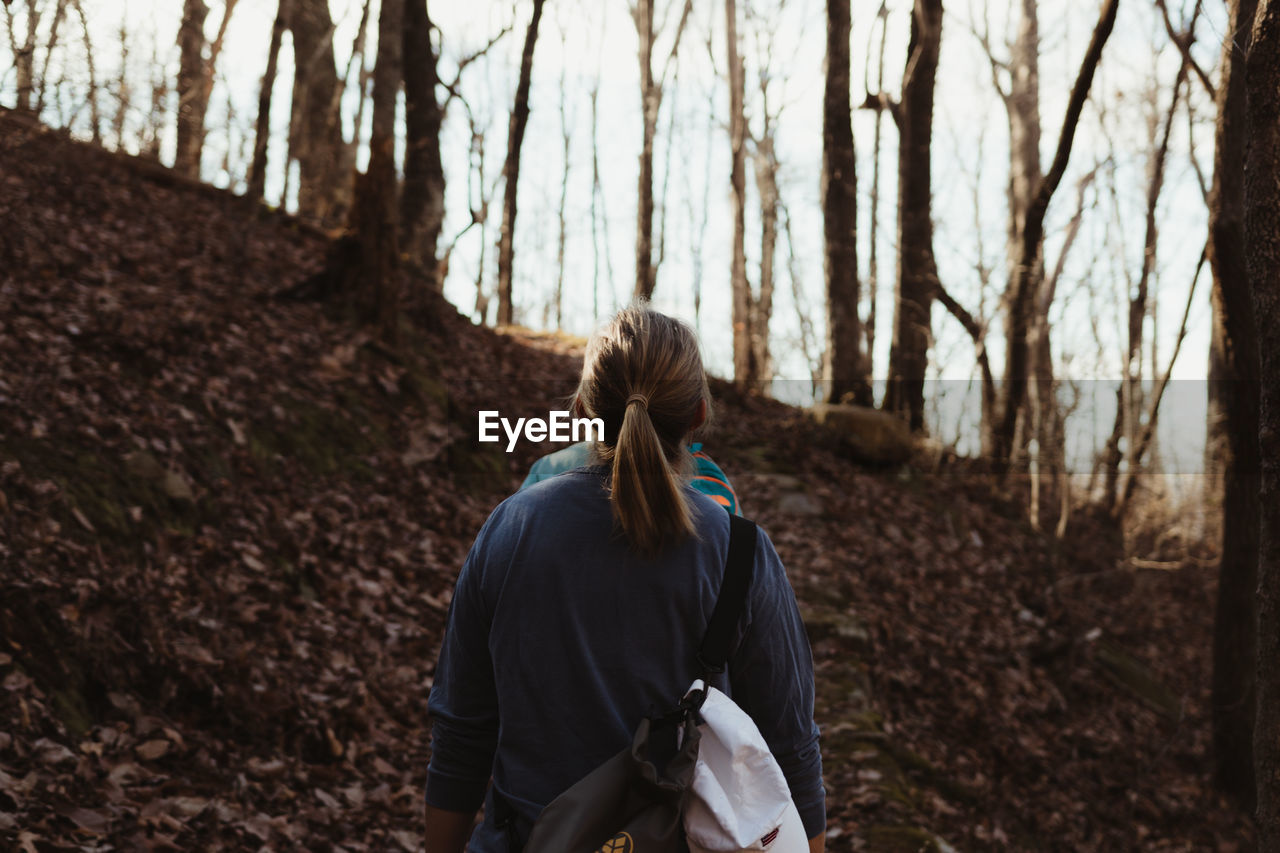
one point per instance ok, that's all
(651, 103)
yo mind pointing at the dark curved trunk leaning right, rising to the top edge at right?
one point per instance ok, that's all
(1034, 234)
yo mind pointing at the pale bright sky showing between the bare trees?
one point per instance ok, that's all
(591, 45)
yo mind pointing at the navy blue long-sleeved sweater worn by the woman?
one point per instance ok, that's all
(561, 640)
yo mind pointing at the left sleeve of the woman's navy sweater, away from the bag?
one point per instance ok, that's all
(464, 703)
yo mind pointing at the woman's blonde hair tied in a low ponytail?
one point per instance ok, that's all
(643, 376)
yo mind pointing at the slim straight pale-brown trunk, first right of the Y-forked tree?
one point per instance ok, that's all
(746, 371)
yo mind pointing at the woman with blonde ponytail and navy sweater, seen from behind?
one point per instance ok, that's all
(583, 603)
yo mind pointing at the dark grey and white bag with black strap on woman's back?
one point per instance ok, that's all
(696, 778)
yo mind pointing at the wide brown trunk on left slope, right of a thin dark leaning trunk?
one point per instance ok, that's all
(316, 138)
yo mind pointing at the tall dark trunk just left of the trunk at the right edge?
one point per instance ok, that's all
(1235, 628)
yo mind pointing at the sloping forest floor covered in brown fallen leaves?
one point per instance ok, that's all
(230, 527)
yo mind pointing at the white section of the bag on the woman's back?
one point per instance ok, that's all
(742, 800)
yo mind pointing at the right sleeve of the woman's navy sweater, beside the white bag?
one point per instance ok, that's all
(771, 676)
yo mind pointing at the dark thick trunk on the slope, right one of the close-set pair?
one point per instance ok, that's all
(423, 203)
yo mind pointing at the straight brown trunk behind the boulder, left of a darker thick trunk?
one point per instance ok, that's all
(844, 368)
